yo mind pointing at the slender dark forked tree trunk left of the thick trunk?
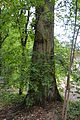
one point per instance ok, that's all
(23, 43)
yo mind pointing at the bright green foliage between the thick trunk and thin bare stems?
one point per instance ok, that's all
(61, 59)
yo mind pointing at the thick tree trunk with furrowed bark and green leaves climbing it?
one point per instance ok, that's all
(43, 83)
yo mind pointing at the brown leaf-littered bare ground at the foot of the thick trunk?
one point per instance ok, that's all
(51, 112)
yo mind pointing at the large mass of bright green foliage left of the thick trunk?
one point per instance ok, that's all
(14, 71)
